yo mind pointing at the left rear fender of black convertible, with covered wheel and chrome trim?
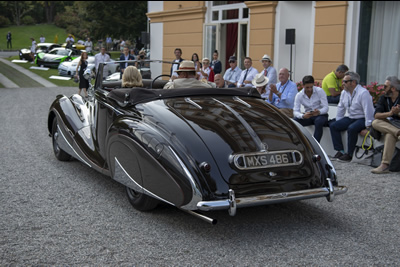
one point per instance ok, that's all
(153, 165)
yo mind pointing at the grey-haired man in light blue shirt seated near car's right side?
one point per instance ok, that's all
(282, 94)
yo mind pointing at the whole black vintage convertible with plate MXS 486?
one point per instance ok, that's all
(196, 149)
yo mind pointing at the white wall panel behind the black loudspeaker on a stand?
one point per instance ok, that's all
(299, 16)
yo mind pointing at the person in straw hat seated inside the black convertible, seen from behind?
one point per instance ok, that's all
(186, 77)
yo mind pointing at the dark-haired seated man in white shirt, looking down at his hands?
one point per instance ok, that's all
(315, 106)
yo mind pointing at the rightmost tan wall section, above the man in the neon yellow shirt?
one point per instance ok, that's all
(329, 37)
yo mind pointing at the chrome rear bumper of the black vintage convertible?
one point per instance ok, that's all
(232, 203)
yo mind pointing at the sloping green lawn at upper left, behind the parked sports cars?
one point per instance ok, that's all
(21, 35)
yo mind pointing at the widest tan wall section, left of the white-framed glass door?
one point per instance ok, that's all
(183, 28)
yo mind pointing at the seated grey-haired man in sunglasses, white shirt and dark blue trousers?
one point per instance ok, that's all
(357, 101)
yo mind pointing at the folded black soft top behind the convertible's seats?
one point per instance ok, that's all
(138, 95)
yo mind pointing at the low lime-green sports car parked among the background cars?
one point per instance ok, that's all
(56, 56)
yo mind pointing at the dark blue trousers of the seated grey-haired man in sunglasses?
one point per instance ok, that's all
(353, 127)
